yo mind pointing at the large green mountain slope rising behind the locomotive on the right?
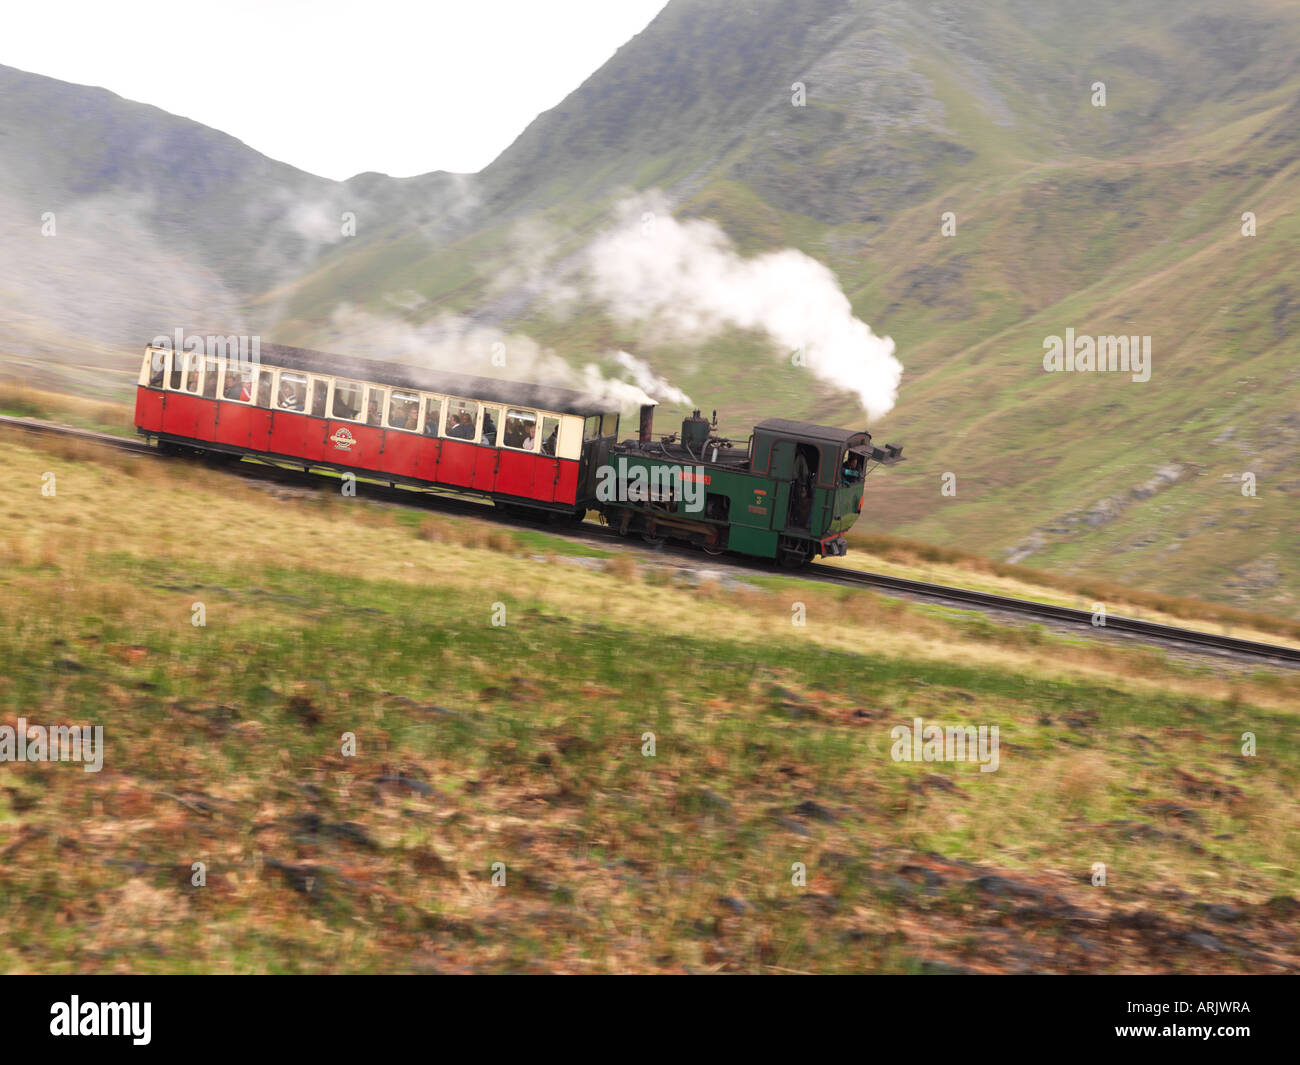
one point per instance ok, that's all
(1124, 219)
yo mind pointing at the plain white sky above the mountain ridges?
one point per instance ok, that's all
(335, 86)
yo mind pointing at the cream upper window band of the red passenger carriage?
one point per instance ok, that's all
(363, 402)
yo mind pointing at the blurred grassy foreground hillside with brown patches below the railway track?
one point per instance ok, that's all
(523, 744)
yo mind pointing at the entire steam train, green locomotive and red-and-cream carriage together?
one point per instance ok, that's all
(790, 493)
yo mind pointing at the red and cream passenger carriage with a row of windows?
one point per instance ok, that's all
(517, 444)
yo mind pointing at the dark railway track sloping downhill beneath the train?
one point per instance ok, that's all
(1152, 633)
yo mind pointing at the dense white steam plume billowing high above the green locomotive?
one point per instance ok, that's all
(688, 278)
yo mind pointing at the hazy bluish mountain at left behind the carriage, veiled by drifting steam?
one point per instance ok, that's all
(119, 220)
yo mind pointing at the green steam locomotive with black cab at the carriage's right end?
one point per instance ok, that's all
(791, 493)
